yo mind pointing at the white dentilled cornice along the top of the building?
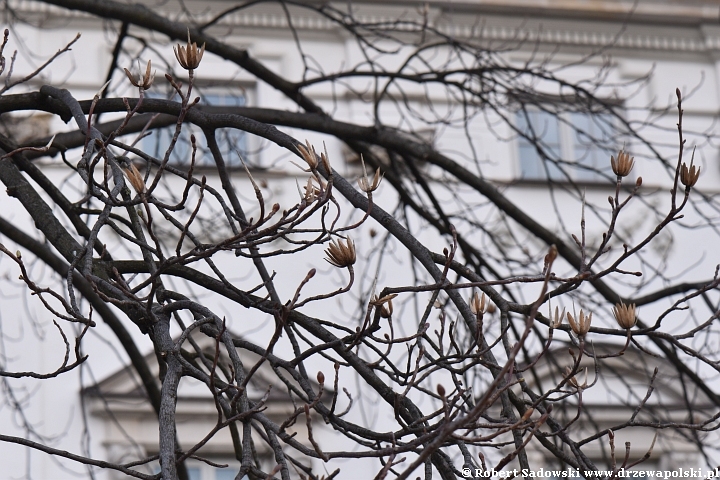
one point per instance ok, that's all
(507, 28)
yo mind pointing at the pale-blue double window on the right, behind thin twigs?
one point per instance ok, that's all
(578, 145)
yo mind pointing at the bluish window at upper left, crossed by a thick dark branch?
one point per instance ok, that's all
(233, 143)
